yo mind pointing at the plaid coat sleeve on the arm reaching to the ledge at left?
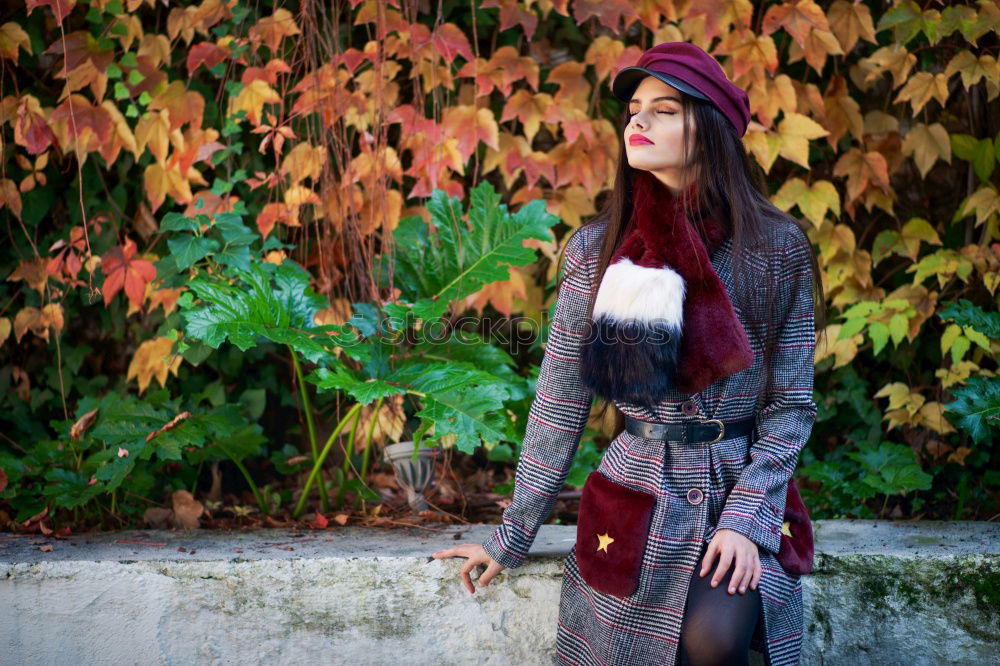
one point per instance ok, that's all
(556, 419)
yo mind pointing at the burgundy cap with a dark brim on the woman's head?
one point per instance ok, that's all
(691, 70)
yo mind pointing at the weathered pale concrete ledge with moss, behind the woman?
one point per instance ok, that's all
(882, 593)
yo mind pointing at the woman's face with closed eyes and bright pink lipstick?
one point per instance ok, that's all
(654, 134)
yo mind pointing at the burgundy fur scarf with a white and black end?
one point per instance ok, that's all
(662, 317)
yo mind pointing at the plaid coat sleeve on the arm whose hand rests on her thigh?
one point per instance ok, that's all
(756, 505)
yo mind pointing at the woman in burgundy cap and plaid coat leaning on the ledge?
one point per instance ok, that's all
(717, 503)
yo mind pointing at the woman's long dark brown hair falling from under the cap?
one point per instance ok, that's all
(732, 187)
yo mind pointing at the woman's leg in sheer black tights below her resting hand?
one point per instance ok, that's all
(717, 626)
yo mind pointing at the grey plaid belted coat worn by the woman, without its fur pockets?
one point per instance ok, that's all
(744, 485)
